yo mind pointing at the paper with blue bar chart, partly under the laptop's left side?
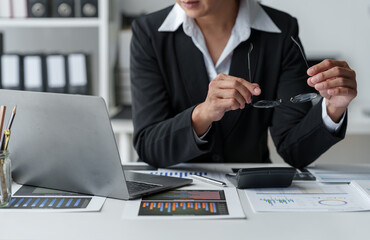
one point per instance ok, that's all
(35, 199)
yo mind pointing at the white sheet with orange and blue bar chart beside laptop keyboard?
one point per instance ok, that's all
(190, 203)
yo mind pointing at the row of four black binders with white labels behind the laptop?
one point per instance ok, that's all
(46, 73)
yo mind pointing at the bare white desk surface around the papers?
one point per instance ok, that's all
(109, 224)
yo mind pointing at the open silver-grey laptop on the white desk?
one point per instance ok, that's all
(66, 142)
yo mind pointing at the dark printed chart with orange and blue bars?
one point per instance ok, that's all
(182, 202)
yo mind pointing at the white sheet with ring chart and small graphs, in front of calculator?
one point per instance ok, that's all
(308, 197)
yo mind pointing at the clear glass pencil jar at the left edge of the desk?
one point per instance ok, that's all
(5, 179)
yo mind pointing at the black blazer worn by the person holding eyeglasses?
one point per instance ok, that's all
(169, 78)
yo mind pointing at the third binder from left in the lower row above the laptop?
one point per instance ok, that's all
(56, 73)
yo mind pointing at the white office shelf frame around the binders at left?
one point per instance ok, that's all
(93, 36)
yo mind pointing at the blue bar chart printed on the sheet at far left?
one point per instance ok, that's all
(48, 202)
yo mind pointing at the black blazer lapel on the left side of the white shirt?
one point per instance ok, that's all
(192, 68)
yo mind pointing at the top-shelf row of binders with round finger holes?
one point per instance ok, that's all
(48, 8)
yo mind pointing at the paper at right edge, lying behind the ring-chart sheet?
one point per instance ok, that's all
(341, 173)
